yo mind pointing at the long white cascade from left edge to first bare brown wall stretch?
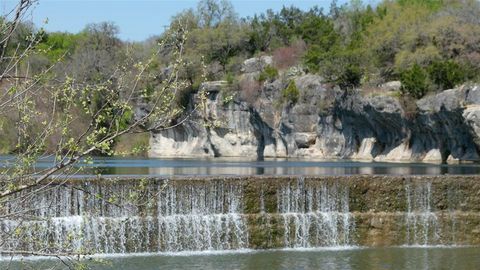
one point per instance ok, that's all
(186, 218)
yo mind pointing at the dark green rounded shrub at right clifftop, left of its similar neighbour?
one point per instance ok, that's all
(415, 81)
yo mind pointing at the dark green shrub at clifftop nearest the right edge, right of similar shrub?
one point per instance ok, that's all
(446, 74)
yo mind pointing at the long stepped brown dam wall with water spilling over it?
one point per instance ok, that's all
(137, 215)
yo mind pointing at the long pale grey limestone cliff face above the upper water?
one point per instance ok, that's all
(326, 123)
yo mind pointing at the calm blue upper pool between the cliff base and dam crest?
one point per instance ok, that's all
(236, 166)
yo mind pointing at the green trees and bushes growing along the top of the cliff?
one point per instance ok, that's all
(350, 45)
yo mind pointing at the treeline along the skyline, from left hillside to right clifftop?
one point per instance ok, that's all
(427, 44)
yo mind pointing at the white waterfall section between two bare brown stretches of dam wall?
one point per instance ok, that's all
(314, 215)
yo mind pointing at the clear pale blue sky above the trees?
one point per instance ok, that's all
(138, 19)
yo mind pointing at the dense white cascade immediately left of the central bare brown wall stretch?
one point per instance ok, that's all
(203, 219)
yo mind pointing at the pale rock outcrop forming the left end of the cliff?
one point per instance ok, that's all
(218, 129)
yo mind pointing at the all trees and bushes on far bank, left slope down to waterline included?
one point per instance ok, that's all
(427, 45)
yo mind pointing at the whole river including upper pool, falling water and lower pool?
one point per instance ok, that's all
(200, 205)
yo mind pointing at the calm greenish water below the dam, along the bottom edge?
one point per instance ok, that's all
(361, 258)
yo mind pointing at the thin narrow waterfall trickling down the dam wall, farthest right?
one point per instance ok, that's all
(421, 222)
